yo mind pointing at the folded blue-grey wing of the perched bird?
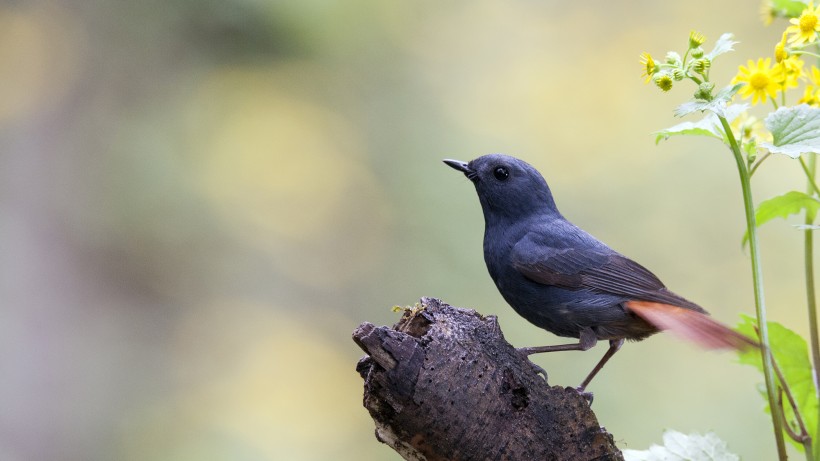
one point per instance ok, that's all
(590, 265)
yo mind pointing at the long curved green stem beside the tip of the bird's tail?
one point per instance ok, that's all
(757, 278)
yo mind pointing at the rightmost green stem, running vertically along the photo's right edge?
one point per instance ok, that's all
(811, 303)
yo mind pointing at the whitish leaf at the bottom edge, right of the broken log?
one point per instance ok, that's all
(682, 447)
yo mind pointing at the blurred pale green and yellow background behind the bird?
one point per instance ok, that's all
(200, 200)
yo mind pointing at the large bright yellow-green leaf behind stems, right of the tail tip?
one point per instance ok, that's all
(792, 357)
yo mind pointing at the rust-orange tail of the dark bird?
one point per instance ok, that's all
(691, 325)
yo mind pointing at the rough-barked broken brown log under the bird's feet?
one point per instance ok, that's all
(443, 384)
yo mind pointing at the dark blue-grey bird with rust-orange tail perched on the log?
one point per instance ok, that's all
(566, 281)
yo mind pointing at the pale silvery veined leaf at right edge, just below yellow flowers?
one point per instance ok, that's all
(795, 130)
